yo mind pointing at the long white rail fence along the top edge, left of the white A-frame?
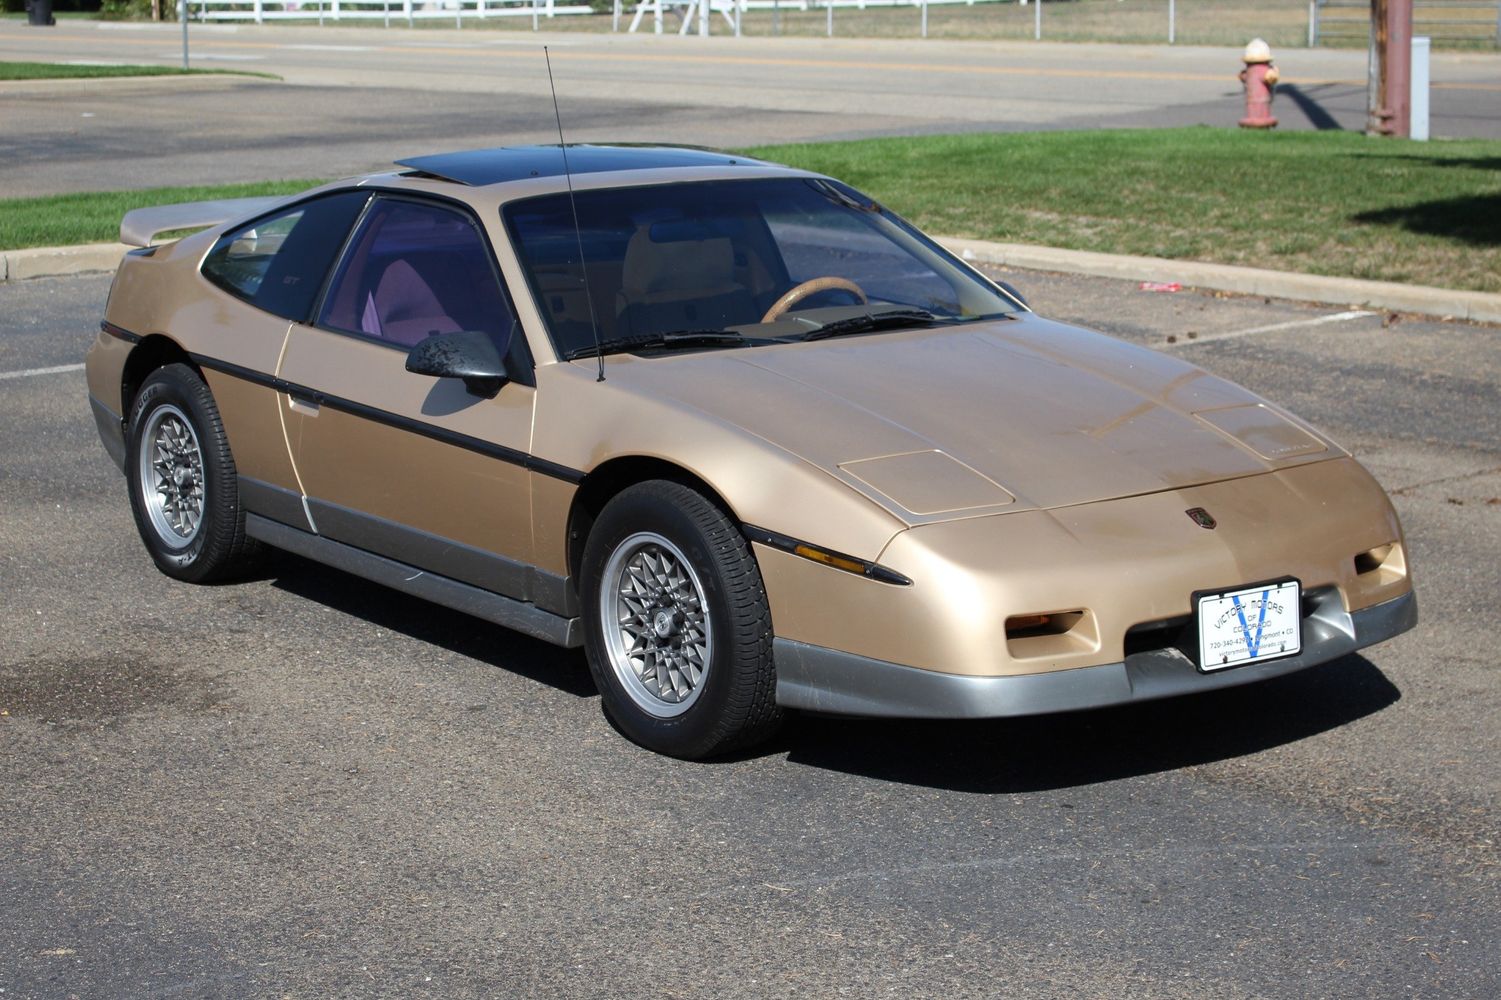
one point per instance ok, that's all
(388, 11)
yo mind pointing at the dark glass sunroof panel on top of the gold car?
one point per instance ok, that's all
(517, 163)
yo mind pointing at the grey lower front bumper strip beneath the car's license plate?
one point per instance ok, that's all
(826, 681)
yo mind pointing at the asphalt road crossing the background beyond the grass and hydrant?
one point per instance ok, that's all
(356, 98)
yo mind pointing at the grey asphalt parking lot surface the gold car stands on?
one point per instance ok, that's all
(305, 786)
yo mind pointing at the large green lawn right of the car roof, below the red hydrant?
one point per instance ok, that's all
(1325, 203)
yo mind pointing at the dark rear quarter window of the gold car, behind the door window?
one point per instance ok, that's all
(278, 264)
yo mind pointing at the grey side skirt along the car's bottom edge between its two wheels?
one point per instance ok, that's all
(451, 594)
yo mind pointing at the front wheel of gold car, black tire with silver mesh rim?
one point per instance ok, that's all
(733, 705)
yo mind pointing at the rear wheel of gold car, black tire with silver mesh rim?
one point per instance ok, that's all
(175, 409)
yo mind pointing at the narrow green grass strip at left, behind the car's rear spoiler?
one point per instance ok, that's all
(95, 218)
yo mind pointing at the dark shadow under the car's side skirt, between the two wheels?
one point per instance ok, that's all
(427, 622)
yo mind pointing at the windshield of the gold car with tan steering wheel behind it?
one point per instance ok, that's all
(730, 264)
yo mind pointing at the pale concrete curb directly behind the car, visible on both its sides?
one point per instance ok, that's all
(1481, 307)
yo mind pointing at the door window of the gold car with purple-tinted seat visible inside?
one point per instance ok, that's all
(415, 270)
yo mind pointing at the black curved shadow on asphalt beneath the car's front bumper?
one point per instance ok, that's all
(1086, 748)
